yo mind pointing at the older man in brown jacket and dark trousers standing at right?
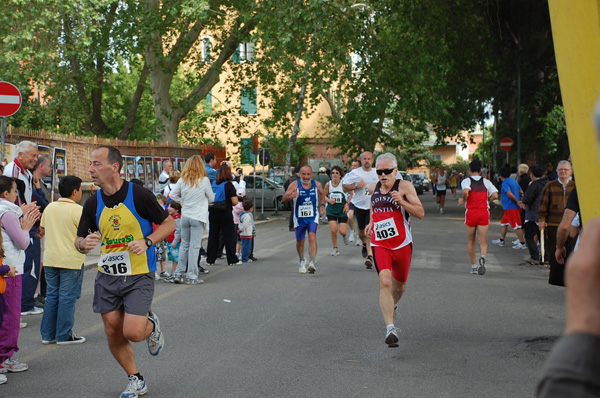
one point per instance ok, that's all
(552, 207)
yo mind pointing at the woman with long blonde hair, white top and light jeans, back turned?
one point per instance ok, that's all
(194, 193)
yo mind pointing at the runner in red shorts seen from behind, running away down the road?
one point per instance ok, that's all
(476, 194)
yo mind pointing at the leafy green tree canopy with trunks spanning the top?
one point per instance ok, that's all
(389, 70)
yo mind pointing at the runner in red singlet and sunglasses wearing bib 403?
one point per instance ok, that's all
(392, 203)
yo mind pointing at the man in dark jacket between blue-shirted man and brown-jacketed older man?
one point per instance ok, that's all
(531, 204)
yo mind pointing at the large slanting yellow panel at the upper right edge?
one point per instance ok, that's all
(576, 34)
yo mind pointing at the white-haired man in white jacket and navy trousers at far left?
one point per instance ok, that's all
(20, 169)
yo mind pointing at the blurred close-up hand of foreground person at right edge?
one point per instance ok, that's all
(583, 282)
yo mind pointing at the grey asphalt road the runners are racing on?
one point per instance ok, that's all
(264, 330)
